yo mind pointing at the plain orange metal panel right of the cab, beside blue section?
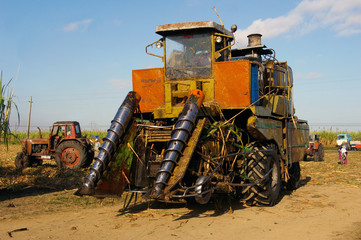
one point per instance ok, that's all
(232, 84)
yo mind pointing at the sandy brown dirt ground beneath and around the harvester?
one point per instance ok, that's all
(326, 206)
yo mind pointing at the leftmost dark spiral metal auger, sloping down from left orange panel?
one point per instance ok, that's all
(110, 143)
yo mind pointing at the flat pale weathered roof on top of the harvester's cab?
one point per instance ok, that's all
(167, 29)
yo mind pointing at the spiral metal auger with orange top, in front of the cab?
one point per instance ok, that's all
(183, 129)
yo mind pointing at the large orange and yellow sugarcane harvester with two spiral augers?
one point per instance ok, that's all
(214, 120)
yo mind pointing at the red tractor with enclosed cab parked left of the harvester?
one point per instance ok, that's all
(65, 144)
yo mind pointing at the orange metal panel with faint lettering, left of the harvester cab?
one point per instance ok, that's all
(149, 84)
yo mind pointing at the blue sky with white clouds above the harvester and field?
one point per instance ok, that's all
(75, 57)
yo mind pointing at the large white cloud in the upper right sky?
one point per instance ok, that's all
(343, 17)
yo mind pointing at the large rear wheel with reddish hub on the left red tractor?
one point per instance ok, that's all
(71, 154)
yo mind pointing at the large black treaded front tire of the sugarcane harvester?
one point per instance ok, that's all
(266, 192)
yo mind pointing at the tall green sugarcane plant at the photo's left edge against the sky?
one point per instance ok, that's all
(6, 103)
